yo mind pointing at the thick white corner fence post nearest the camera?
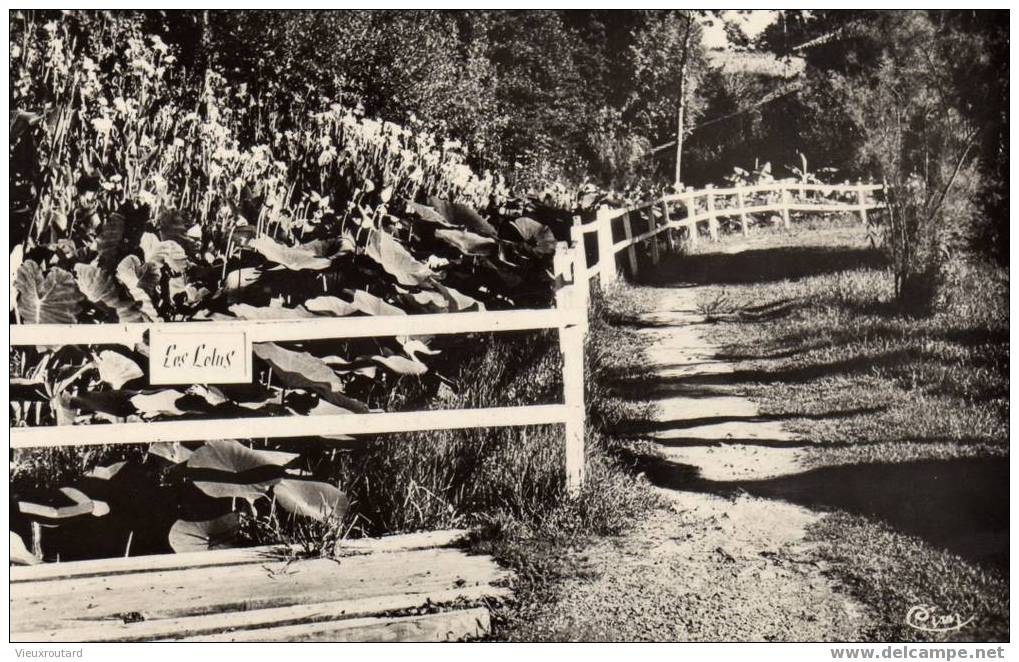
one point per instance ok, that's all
(572, 348)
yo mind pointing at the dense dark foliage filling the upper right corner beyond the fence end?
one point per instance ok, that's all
(905, 96)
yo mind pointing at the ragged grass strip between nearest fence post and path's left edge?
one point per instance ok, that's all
(543, 550)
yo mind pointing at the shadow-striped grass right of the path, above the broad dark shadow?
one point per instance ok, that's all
(822, 344)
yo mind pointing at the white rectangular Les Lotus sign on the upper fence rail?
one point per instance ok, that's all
(195, 358)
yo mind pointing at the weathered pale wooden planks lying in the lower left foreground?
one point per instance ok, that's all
(416, 587)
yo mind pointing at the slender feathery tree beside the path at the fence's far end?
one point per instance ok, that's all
(922, 147)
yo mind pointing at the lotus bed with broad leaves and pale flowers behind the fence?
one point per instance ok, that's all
(142, 193)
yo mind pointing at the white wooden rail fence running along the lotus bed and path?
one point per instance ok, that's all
(573, 274)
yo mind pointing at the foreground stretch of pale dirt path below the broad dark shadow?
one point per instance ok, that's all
(708, 570)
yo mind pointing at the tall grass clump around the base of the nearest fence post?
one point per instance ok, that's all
(508, 480)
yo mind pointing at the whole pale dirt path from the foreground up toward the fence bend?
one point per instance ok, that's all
(708, 568)
